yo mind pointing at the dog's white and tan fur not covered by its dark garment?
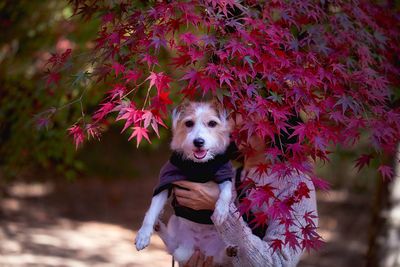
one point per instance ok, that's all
(200, 133)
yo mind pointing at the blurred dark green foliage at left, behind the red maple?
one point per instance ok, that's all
(30, 31)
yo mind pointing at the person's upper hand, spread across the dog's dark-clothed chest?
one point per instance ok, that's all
(198, 196)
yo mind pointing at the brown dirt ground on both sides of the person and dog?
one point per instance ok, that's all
(92, 222)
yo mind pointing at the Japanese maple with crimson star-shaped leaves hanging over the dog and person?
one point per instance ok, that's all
(334, 64)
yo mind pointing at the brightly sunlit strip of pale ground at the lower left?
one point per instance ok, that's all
(69, 243)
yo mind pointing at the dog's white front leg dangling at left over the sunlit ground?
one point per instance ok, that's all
(157, 204)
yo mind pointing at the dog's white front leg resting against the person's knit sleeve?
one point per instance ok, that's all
(222, 206)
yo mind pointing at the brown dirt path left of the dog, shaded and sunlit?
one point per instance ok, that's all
(87, 223)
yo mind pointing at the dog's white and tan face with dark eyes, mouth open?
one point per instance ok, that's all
(200, 131)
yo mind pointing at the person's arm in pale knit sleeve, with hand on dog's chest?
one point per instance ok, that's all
(252, 251)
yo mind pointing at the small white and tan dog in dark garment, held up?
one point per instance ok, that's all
(200, 142)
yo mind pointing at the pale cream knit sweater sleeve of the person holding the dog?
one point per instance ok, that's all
(251, 250)
